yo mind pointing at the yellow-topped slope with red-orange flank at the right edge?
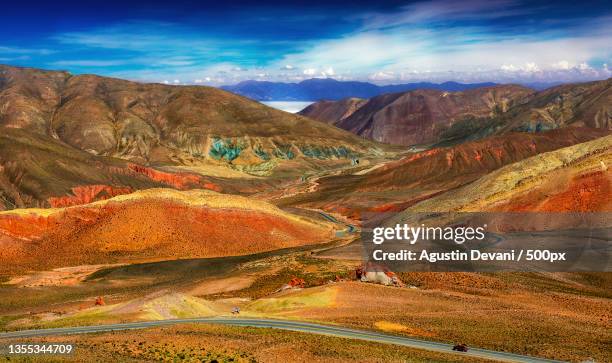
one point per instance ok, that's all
(560, 189)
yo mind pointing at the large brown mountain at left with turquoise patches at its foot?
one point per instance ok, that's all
(59, 132)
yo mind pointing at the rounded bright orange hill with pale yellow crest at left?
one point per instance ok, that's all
(150, 225)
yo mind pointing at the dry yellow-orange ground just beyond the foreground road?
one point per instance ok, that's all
(568, 314)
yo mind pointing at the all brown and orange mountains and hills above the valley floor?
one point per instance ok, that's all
(103, 170)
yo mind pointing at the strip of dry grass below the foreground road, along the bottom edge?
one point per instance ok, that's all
(202, 343)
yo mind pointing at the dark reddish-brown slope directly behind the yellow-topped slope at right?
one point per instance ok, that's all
(421, 176)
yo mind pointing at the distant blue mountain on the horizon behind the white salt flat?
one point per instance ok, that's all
(330, 89)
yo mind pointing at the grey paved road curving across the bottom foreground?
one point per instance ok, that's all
(284, 325)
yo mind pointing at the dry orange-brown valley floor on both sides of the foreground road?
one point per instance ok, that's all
(556, 316)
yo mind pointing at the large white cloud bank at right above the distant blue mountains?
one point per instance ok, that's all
(411, 52)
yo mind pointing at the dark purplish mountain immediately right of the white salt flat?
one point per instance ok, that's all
(417, 117)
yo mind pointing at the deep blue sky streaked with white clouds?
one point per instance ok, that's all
(197, 42)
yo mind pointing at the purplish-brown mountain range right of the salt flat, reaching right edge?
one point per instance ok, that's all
(433, 117)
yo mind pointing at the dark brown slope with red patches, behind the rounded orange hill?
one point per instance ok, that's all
(39, 171)
